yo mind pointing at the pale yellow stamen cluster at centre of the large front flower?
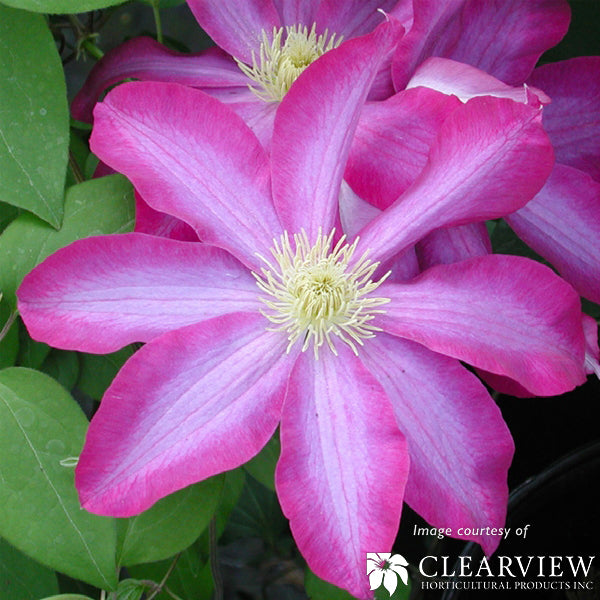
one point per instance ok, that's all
(313, 292)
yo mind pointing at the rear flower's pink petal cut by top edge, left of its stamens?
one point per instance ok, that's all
(236, 25)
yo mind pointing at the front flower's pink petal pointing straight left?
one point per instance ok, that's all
(99, 294)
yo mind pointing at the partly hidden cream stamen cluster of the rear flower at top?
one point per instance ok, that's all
(281, 62)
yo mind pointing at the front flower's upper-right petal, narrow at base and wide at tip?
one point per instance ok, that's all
(474, 173)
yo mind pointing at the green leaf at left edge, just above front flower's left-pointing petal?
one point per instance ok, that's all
(100, 206)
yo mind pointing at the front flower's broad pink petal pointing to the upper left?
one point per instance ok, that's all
(192, 157)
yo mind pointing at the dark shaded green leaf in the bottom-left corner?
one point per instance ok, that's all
(22, 578)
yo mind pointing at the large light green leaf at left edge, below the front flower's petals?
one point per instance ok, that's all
(40, 514)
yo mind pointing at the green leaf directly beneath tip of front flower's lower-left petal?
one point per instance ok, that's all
(171, 525)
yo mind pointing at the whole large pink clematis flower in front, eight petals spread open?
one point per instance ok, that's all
(274, 319)
